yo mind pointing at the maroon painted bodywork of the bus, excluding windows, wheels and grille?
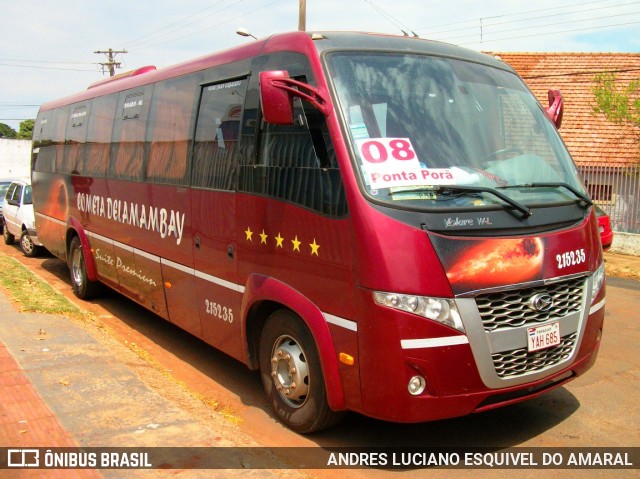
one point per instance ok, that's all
(250, 254)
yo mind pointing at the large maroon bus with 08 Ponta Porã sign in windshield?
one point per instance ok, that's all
(380, 224)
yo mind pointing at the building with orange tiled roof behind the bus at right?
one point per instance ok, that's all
(607, 154)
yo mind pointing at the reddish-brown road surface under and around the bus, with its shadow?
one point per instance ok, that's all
(598, 409)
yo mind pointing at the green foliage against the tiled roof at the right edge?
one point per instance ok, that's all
(619, 104)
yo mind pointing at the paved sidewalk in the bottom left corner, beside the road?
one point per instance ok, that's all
(60, 387)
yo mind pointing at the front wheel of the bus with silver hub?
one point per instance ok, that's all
(292, 375)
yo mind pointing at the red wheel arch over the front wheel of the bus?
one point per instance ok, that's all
(265, 295)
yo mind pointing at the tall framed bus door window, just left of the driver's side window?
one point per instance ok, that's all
(217, 135)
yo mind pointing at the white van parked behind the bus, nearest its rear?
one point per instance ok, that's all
(19, 219)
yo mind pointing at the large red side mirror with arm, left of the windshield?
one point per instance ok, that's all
(277, 92)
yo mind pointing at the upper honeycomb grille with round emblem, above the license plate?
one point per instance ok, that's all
(510, 309)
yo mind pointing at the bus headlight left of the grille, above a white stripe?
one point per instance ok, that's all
(442, 310)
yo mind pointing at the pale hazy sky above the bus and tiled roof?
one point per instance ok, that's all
(47, 47)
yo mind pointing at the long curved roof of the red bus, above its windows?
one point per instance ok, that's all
(303, 42)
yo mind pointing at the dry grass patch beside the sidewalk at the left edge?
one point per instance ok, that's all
(31, 293)
